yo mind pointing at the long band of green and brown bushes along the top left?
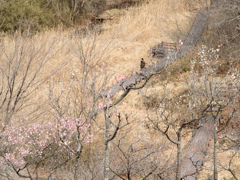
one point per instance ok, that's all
(34, 15)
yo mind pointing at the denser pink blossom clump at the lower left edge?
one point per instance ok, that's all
(26, 141)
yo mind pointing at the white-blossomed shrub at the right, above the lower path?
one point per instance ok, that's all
(208, 85)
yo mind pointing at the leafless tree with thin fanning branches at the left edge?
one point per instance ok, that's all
(23, 71)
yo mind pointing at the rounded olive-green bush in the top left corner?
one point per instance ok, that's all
(26, 15)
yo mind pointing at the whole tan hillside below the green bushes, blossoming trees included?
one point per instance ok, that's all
(55, 124)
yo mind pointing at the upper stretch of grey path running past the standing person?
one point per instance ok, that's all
(188, 45)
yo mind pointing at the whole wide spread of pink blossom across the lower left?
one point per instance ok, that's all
(31, 143)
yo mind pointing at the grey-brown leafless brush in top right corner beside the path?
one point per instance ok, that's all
(223, 26)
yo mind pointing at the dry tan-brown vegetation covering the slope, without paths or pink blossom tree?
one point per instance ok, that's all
(75, 67)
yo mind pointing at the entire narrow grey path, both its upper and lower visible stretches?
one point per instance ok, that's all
(194, 155)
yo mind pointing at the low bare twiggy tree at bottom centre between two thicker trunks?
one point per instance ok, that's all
(137, 158)
